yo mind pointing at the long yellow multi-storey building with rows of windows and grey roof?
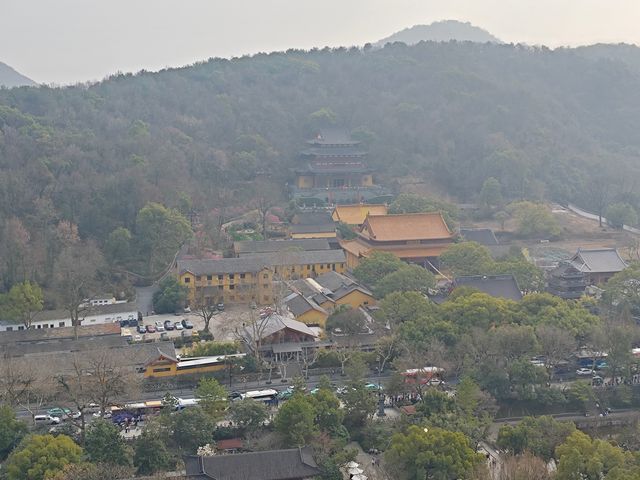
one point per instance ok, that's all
(251, 278)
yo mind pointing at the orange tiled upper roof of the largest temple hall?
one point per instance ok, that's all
(405, 227)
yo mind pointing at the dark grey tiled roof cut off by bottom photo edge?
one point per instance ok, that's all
(292, 464)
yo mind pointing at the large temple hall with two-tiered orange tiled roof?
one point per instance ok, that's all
(416, 238)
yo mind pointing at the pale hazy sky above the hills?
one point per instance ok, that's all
(65, 41)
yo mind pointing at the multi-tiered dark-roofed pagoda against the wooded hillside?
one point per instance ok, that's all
(333, 170)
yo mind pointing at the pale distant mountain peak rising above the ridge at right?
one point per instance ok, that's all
(443, 31)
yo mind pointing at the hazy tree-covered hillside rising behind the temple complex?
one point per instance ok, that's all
(546, 124)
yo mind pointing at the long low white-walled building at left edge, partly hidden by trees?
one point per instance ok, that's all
(91, 315)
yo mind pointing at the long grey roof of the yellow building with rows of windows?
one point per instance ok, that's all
(256, 262)
